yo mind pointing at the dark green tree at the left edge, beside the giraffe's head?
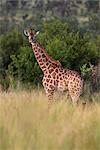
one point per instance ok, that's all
(10, 44)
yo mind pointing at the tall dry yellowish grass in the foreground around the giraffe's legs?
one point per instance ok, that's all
(26, 123)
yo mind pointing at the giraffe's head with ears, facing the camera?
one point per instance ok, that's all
(31, 34)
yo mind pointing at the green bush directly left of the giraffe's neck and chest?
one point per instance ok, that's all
(24, 67)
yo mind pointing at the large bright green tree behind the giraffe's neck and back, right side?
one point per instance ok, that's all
(70, 48)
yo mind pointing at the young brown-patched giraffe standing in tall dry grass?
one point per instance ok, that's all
(55, 77)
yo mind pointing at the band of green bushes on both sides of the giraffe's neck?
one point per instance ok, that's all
(18, 63)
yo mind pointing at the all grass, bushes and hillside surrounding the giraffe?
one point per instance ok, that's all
(70, 33)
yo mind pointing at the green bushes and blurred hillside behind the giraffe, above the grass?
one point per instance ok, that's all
(69, 31)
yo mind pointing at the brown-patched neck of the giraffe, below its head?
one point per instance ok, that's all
(43, 59)
